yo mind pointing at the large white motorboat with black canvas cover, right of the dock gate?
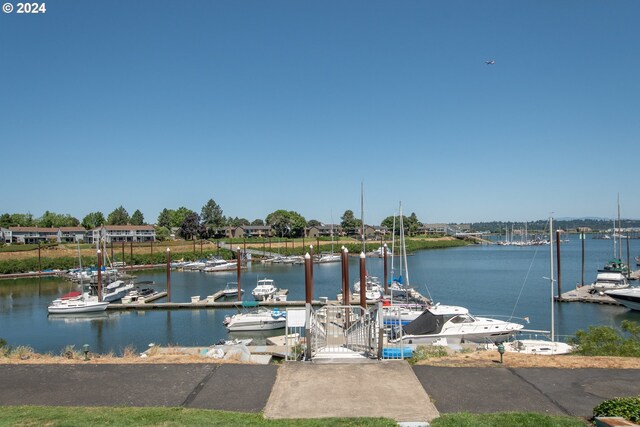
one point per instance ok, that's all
(455, 324)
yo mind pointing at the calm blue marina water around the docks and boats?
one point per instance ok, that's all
(490, 280)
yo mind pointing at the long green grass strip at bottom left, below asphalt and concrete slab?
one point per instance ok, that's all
(51, 416)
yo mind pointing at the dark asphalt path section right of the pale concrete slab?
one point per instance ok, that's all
(545, 390)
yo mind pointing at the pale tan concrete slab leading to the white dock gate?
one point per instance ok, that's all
(382, 389)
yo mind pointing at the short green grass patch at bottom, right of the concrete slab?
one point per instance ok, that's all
(520, 419)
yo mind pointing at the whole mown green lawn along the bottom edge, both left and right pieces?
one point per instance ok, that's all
(70, 416)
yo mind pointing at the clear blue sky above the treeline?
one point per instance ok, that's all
(265, 105)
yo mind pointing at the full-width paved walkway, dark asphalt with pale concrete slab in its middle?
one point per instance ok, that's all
(314, 390)
